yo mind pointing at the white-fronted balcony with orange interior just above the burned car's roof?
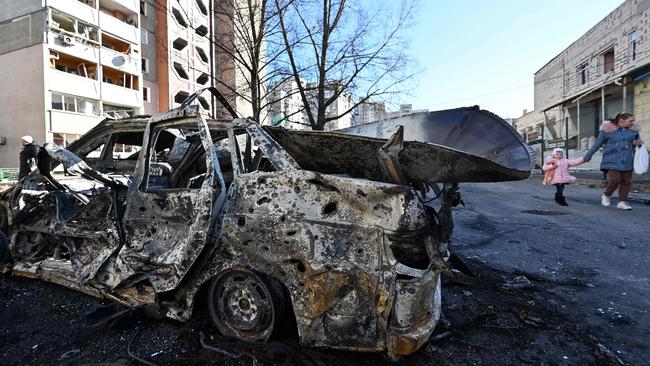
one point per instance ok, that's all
(120, 88)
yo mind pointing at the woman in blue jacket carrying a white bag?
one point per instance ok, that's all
(617, 137)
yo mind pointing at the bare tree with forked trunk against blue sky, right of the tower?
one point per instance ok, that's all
(356, 48)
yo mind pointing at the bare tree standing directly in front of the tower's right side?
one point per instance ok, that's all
(247, 51)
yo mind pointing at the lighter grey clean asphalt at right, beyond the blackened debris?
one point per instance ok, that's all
(598, 257)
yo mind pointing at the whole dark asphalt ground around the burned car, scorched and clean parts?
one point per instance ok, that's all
(553, 286)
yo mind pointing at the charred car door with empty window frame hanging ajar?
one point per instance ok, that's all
(171, 209)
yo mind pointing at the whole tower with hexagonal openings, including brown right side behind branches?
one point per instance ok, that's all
(179, 55)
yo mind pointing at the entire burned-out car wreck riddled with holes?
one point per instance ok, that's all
(337, 231)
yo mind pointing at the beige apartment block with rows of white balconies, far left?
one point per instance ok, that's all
(64, 64)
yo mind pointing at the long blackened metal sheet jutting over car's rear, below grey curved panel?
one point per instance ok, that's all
(337, 153)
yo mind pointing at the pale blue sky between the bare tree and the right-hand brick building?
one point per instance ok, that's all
(485, 52)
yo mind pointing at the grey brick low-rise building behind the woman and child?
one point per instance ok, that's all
(603, 72)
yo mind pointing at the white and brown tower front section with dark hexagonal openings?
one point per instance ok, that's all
(177, 56)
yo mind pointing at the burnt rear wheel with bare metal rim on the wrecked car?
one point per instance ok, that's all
(243, 305)
